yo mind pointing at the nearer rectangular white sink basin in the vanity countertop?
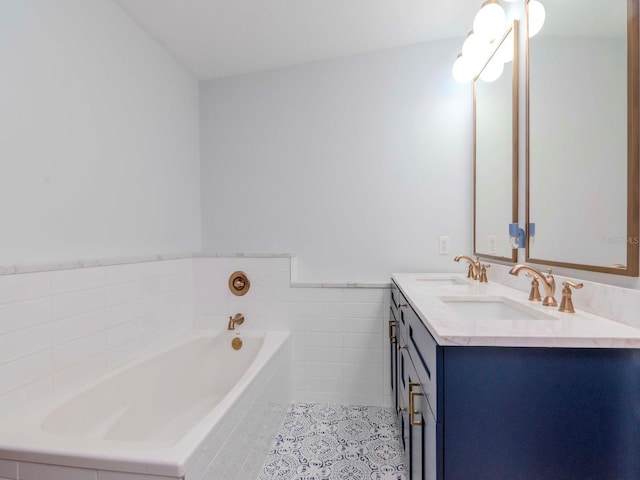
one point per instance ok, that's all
(492, 308)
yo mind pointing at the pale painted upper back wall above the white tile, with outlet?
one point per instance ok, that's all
(356, 165)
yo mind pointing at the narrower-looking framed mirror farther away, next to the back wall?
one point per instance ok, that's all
(495, 130)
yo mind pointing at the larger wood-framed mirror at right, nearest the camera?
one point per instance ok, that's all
(582, 137)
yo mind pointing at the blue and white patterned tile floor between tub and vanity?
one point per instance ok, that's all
(335, 442)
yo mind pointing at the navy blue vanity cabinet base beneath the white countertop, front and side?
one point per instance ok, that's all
(533, 413)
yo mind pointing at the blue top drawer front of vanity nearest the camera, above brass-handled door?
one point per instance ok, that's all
(427, 360)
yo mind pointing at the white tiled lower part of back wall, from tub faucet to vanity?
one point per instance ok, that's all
(337, 329)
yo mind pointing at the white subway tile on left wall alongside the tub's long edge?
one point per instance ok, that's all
(61, 327)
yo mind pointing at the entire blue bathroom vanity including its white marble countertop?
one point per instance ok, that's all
(490, 386)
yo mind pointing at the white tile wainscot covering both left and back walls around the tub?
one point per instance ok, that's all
(63, 323)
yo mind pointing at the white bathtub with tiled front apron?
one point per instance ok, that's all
(195, 409)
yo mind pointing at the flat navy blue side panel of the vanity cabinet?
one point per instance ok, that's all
(542, 413)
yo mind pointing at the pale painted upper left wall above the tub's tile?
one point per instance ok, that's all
(99, 150)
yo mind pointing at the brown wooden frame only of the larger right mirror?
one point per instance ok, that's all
(633, 152)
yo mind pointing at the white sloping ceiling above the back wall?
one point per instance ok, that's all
(219, 38)
